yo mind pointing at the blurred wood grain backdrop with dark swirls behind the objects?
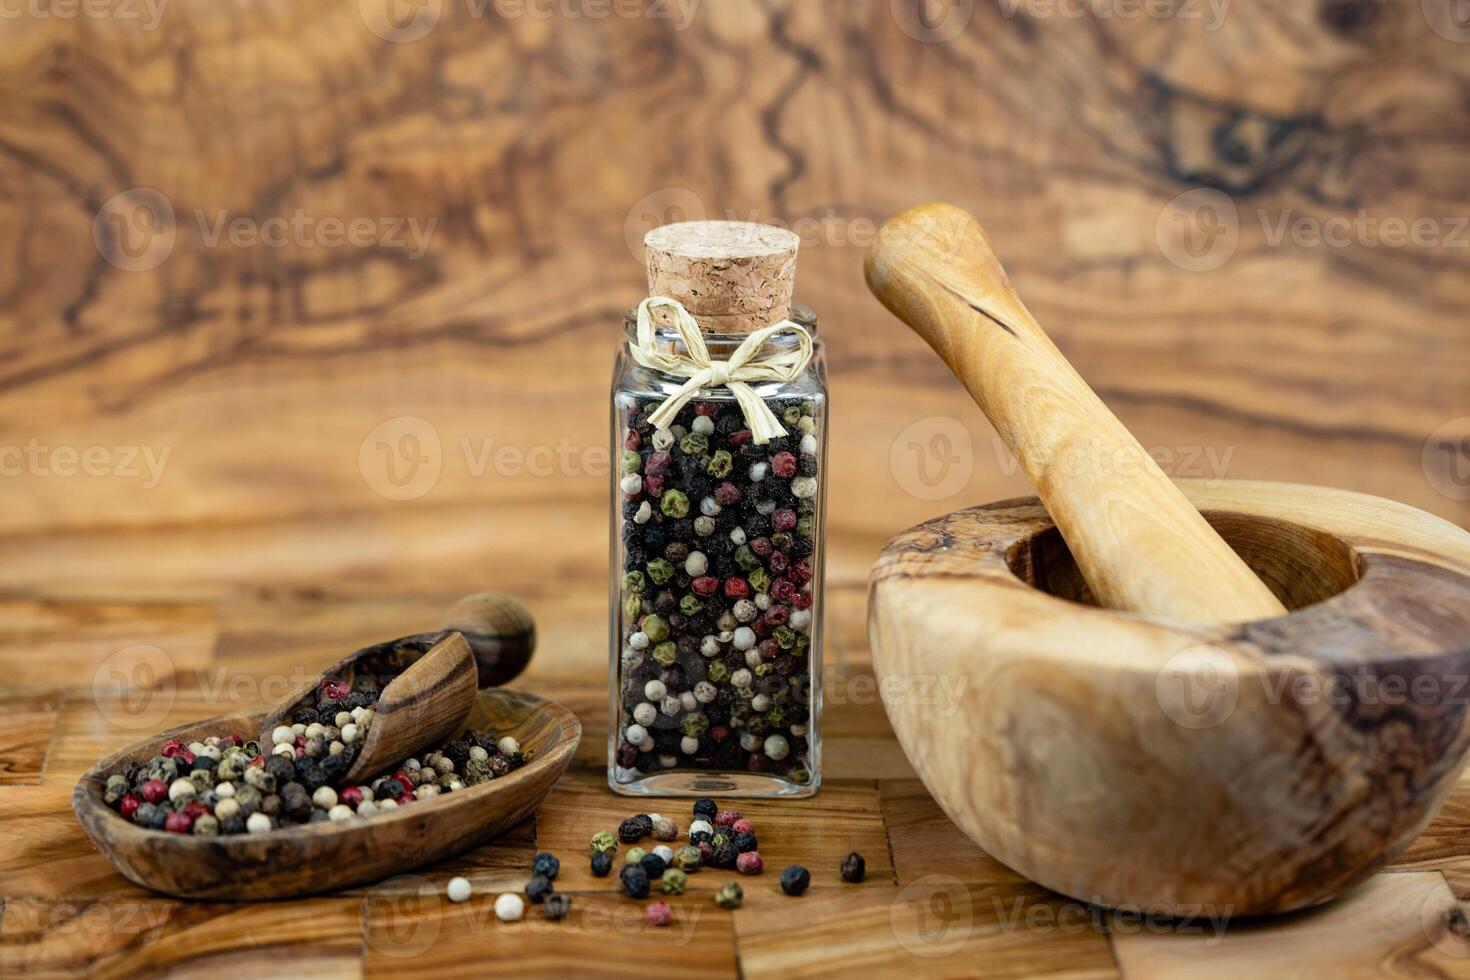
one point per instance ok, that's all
(543, 140)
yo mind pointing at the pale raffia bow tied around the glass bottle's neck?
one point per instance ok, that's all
(736, 374)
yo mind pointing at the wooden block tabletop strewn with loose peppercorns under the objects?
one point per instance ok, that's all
(928, 901)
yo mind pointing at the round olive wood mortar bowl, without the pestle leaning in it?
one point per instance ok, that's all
(1144, 763)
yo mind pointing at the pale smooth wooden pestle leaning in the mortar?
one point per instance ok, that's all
(1140, 544)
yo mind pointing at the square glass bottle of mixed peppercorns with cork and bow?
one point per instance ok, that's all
(720, 434)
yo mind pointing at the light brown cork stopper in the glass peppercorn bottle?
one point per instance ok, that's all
(734, 277)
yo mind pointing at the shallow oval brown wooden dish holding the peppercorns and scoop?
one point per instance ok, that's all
(323, 857)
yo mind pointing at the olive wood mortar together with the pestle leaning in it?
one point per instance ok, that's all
(1227, 700)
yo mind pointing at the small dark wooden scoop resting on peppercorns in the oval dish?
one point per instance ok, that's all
(442, 672)
